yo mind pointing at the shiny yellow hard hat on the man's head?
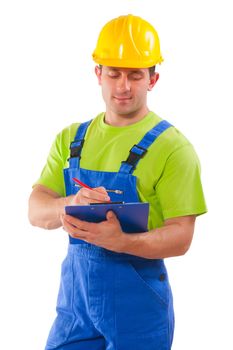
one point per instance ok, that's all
(128, 41)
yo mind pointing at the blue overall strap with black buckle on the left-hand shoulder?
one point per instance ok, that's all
(77, 145)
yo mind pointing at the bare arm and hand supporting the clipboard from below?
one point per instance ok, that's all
(173, 239)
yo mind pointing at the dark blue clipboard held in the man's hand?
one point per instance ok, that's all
(132, 216)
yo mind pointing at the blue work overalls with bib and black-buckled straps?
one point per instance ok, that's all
(109, 300)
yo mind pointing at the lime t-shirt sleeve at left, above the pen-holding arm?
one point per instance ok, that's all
(52, 173)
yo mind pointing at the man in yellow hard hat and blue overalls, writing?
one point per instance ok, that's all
(115, 292)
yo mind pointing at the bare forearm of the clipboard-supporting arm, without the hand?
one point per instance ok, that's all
(163, 242)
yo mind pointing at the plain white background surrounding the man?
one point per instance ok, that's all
(46, 83)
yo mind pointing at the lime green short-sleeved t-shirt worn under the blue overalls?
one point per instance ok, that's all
(168, 176)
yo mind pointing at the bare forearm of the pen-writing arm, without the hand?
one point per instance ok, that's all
(45, 211)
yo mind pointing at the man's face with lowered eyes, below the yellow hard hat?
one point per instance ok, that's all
(125, 90)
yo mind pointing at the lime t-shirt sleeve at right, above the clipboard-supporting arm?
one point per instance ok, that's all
(179, 189)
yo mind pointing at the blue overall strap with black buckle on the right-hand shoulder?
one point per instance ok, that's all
(139, 150)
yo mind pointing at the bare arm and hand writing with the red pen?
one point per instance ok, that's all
(47, 206)
